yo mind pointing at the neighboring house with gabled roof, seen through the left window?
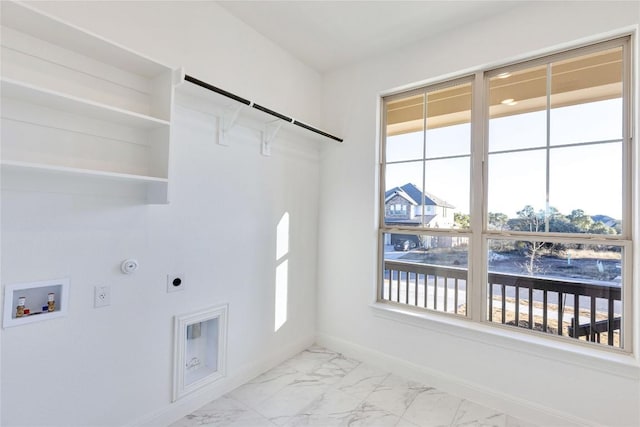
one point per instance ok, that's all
(409, 206)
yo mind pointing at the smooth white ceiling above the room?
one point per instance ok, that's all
(327, 35)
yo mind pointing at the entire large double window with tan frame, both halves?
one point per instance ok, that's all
(546, 236)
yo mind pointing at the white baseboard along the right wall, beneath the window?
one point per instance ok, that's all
(514, 406)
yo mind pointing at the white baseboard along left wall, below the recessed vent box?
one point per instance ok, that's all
(174, 411)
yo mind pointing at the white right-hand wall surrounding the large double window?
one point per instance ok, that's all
(504, 370)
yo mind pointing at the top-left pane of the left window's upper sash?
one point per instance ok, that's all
(405, 125)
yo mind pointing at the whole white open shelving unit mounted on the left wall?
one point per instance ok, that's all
(80, 112)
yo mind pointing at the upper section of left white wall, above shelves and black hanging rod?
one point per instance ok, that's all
(209, 43)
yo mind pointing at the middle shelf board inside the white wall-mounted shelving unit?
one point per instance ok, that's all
(74, 105)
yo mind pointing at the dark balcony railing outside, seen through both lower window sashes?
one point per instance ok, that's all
(557, 306)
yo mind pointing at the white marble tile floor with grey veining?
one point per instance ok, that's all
(322, 388)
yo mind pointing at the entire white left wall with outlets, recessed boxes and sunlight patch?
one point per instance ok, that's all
(113, 366)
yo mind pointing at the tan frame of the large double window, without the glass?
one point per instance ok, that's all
(479, 233)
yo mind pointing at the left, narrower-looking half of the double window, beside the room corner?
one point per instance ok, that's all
(427, 161)
